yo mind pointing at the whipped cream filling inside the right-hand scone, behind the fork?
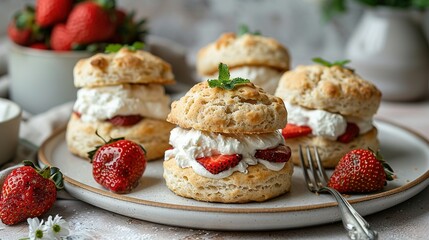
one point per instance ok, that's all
(324, 123)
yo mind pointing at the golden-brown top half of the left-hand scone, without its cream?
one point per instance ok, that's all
(125, 66)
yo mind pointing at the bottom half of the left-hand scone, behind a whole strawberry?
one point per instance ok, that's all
(152, 134)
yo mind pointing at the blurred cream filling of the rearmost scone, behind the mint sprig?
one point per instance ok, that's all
(264, 77)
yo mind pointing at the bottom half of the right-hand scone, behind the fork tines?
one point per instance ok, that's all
(332, 151)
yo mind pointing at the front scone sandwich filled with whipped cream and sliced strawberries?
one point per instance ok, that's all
(227, 146)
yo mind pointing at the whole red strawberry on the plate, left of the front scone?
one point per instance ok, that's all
(118, 164)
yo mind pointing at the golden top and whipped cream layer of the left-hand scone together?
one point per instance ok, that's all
(124, 83)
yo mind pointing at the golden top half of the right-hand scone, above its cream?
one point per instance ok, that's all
(333, 89)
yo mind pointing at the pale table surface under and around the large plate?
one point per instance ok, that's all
(408, 220)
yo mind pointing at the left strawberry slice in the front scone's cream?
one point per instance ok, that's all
(218, 163)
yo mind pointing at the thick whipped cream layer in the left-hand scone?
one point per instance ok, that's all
(102, 103)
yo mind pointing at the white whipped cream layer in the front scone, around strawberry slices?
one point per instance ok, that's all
(192, 144)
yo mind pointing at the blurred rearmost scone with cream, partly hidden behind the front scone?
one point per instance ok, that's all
(261, 59)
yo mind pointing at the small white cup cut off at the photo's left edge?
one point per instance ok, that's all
(10, 119)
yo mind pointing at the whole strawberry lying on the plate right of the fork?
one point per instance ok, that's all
(361, 171)
